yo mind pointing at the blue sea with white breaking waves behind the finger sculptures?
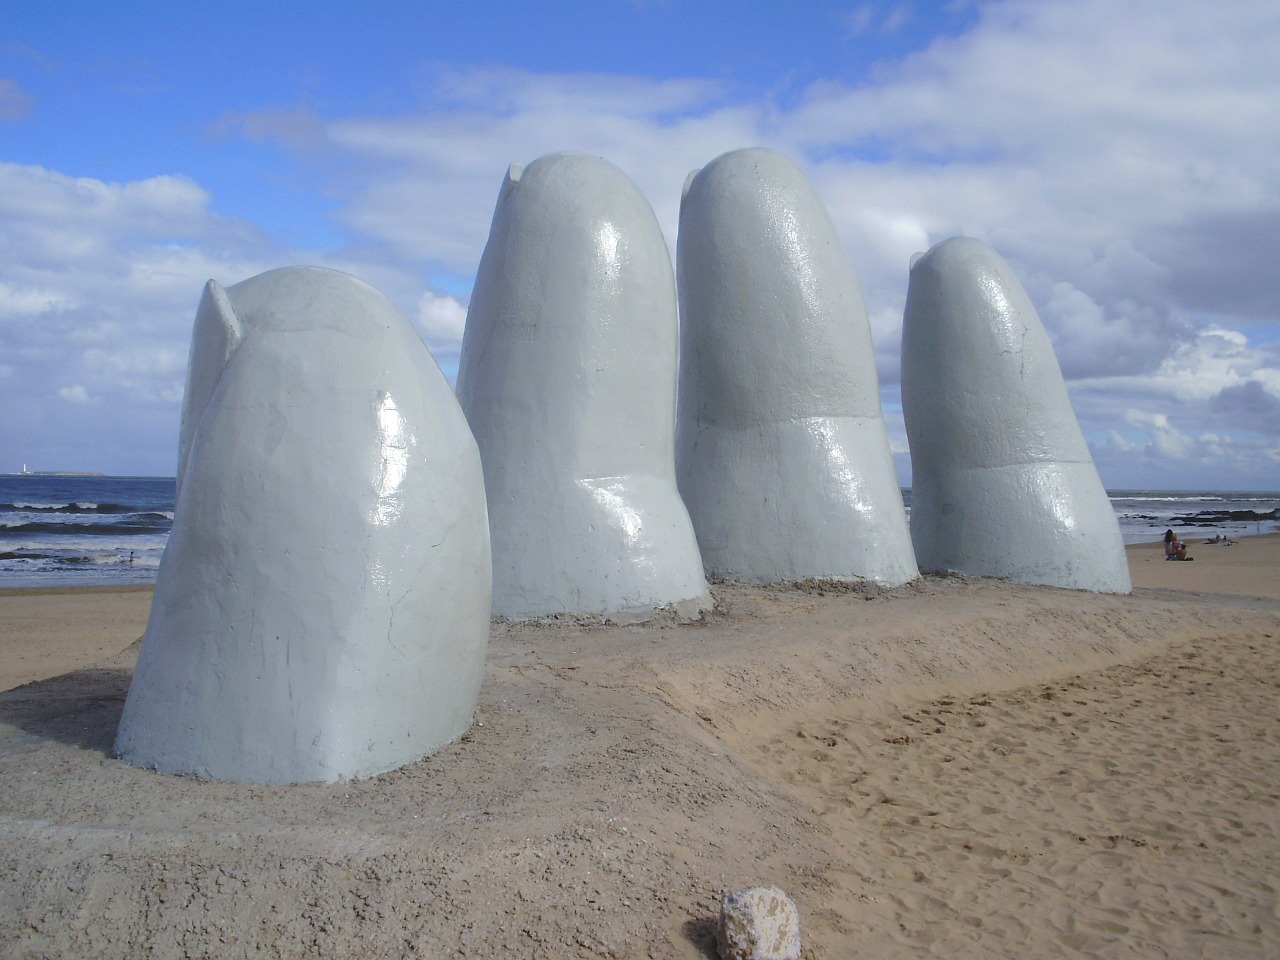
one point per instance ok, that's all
(86, 531)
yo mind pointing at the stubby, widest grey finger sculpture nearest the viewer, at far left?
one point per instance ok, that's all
(322, 611)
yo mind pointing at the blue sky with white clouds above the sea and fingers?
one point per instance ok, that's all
(1124, 157)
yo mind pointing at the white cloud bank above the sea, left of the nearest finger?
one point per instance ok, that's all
(99, 285)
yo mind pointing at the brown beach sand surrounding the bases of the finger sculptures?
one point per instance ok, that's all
(961, 769)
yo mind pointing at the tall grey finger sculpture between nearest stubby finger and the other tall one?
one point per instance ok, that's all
(568, 378)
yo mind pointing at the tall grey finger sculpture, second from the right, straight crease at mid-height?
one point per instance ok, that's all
(783, 455)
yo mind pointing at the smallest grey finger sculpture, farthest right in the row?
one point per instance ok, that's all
(1003, 479)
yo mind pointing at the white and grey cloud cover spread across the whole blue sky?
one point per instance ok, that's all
(1119, 156)
